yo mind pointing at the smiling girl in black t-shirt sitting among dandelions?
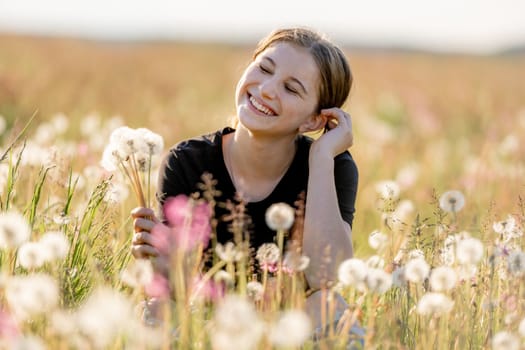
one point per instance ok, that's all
(296, 83)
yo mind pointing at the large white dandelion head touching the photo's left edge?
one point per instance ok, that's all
(14, 229)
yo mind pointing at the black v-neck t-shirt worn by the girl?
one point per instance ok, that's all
(182, 169)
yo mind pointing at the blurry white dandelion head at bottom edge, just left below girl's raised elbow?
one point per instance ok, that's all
(291, 330)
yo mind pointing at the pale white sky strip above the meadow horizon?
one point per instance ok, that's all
(470, 26)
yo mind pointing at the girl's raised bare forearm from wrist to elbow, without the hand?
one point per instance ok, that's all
(327, 237)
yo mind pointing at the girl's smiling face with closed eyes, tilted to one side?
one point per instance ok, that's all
(279, 90)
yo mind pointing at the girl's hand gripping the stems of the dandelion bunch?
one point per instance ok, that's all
(142, 246)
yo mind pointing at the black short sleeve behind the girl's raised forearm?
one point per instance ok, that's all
(346, 180)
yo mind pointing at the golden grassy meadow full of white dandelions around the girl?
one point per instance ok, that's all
(438, 232)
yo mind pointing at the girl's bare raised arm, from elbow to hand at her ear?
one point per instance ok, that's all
(327, 237)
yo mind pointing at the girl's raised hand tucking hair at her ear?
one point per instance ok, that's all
(339, 136)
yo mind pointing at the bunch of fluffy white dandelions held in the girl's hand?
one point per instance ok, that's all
(132, 151)
